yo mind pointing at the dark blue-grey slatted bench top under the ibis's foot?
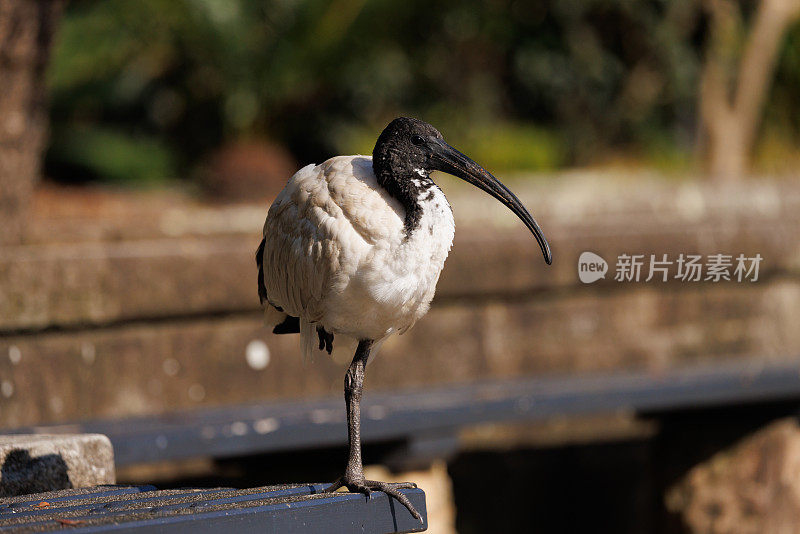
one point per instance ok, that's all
(285, 509)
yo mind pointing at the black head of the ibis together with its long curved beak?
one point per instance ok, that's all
(409, 149)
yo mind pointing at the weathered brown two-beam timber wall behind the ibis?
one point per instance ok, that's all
(105, 317)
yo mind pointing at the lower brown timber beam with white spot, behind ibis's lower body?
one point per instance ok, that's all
(144, 369)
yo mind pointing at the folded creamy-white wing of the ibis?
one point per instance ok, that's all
(320, 229)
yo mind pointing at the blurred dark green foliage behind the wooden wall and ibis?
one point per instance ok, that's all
(146, 89)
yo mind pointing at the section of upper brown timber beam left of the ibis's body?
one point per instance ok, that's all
(98, 283)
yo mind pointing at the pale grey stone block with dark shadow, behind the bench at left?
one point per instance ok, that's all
(39, 463)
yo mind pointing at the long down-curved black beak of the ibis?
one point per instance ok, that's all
(447, 159)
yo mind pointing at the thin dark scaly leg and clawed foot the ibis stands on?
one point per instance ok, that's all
(353, 478)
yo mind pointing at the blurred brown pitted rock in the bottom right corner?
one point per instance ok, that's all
(751, 487)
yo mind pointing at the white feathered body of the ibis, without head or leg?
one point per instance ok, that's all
(337, 255)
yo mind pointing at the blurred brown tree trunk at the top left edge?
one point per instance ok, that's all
(26, 28)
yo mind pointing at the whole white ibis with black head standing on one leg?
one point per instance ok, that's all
(352, 251)
